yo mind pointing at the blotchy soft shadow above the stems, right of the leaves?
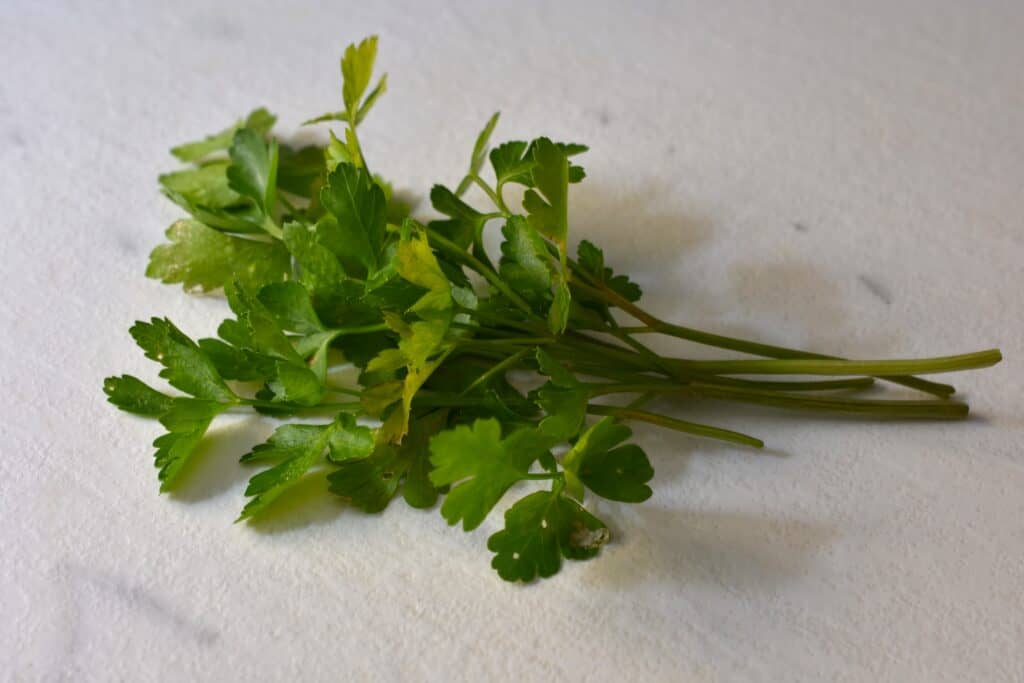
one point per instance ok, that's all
(792, 295)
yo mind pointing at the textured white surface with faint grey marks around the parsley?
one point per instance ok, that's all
(837, 176)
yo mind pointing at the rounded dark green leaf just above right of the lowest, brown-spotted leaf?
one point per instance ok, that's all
(617, 474)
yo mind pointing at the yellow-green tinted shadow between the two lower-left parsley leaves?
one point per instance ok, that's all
(215, 468)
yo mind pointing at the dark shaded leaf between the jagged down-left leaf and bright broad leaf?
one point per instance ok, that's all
(372, 482)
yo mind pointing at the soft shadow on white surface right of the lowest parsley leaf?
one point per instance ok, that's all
(733, 550)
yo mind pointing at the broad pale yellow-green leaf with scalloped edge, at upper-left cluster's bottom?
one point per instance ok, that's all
(203, 259)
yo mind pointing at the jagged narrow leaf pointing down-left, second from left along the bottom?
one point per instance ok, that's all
(302, 449)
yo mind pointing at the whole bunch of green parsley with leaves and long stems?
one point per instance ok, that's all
(324, 268)
